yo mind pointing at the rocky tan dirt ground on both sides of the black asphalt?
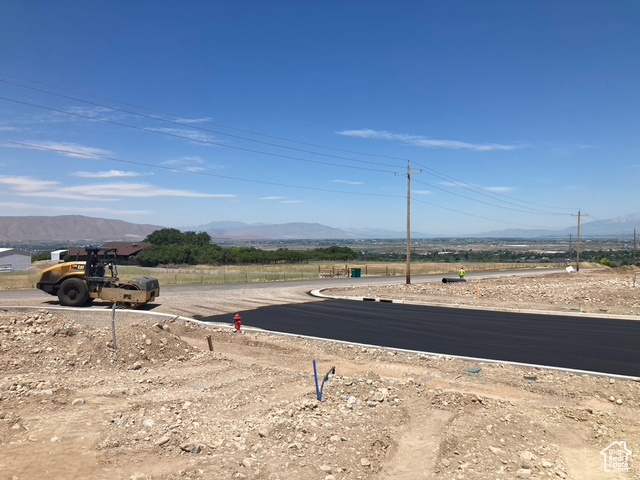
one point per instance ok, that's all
(164, 407)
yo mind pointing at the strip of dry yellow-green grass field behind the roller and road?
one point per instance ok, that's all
(216, 275)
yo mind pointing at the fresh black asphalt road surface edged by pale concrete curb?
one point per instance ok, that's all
(598, 345)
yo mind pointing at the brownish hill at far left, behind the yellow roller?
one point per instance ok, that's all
(72, 229)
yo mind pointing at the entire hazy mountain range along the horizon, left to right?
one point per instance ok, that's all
(78, 229)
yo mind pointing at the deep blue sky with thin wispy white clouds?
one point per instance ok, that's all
(511, 114)
